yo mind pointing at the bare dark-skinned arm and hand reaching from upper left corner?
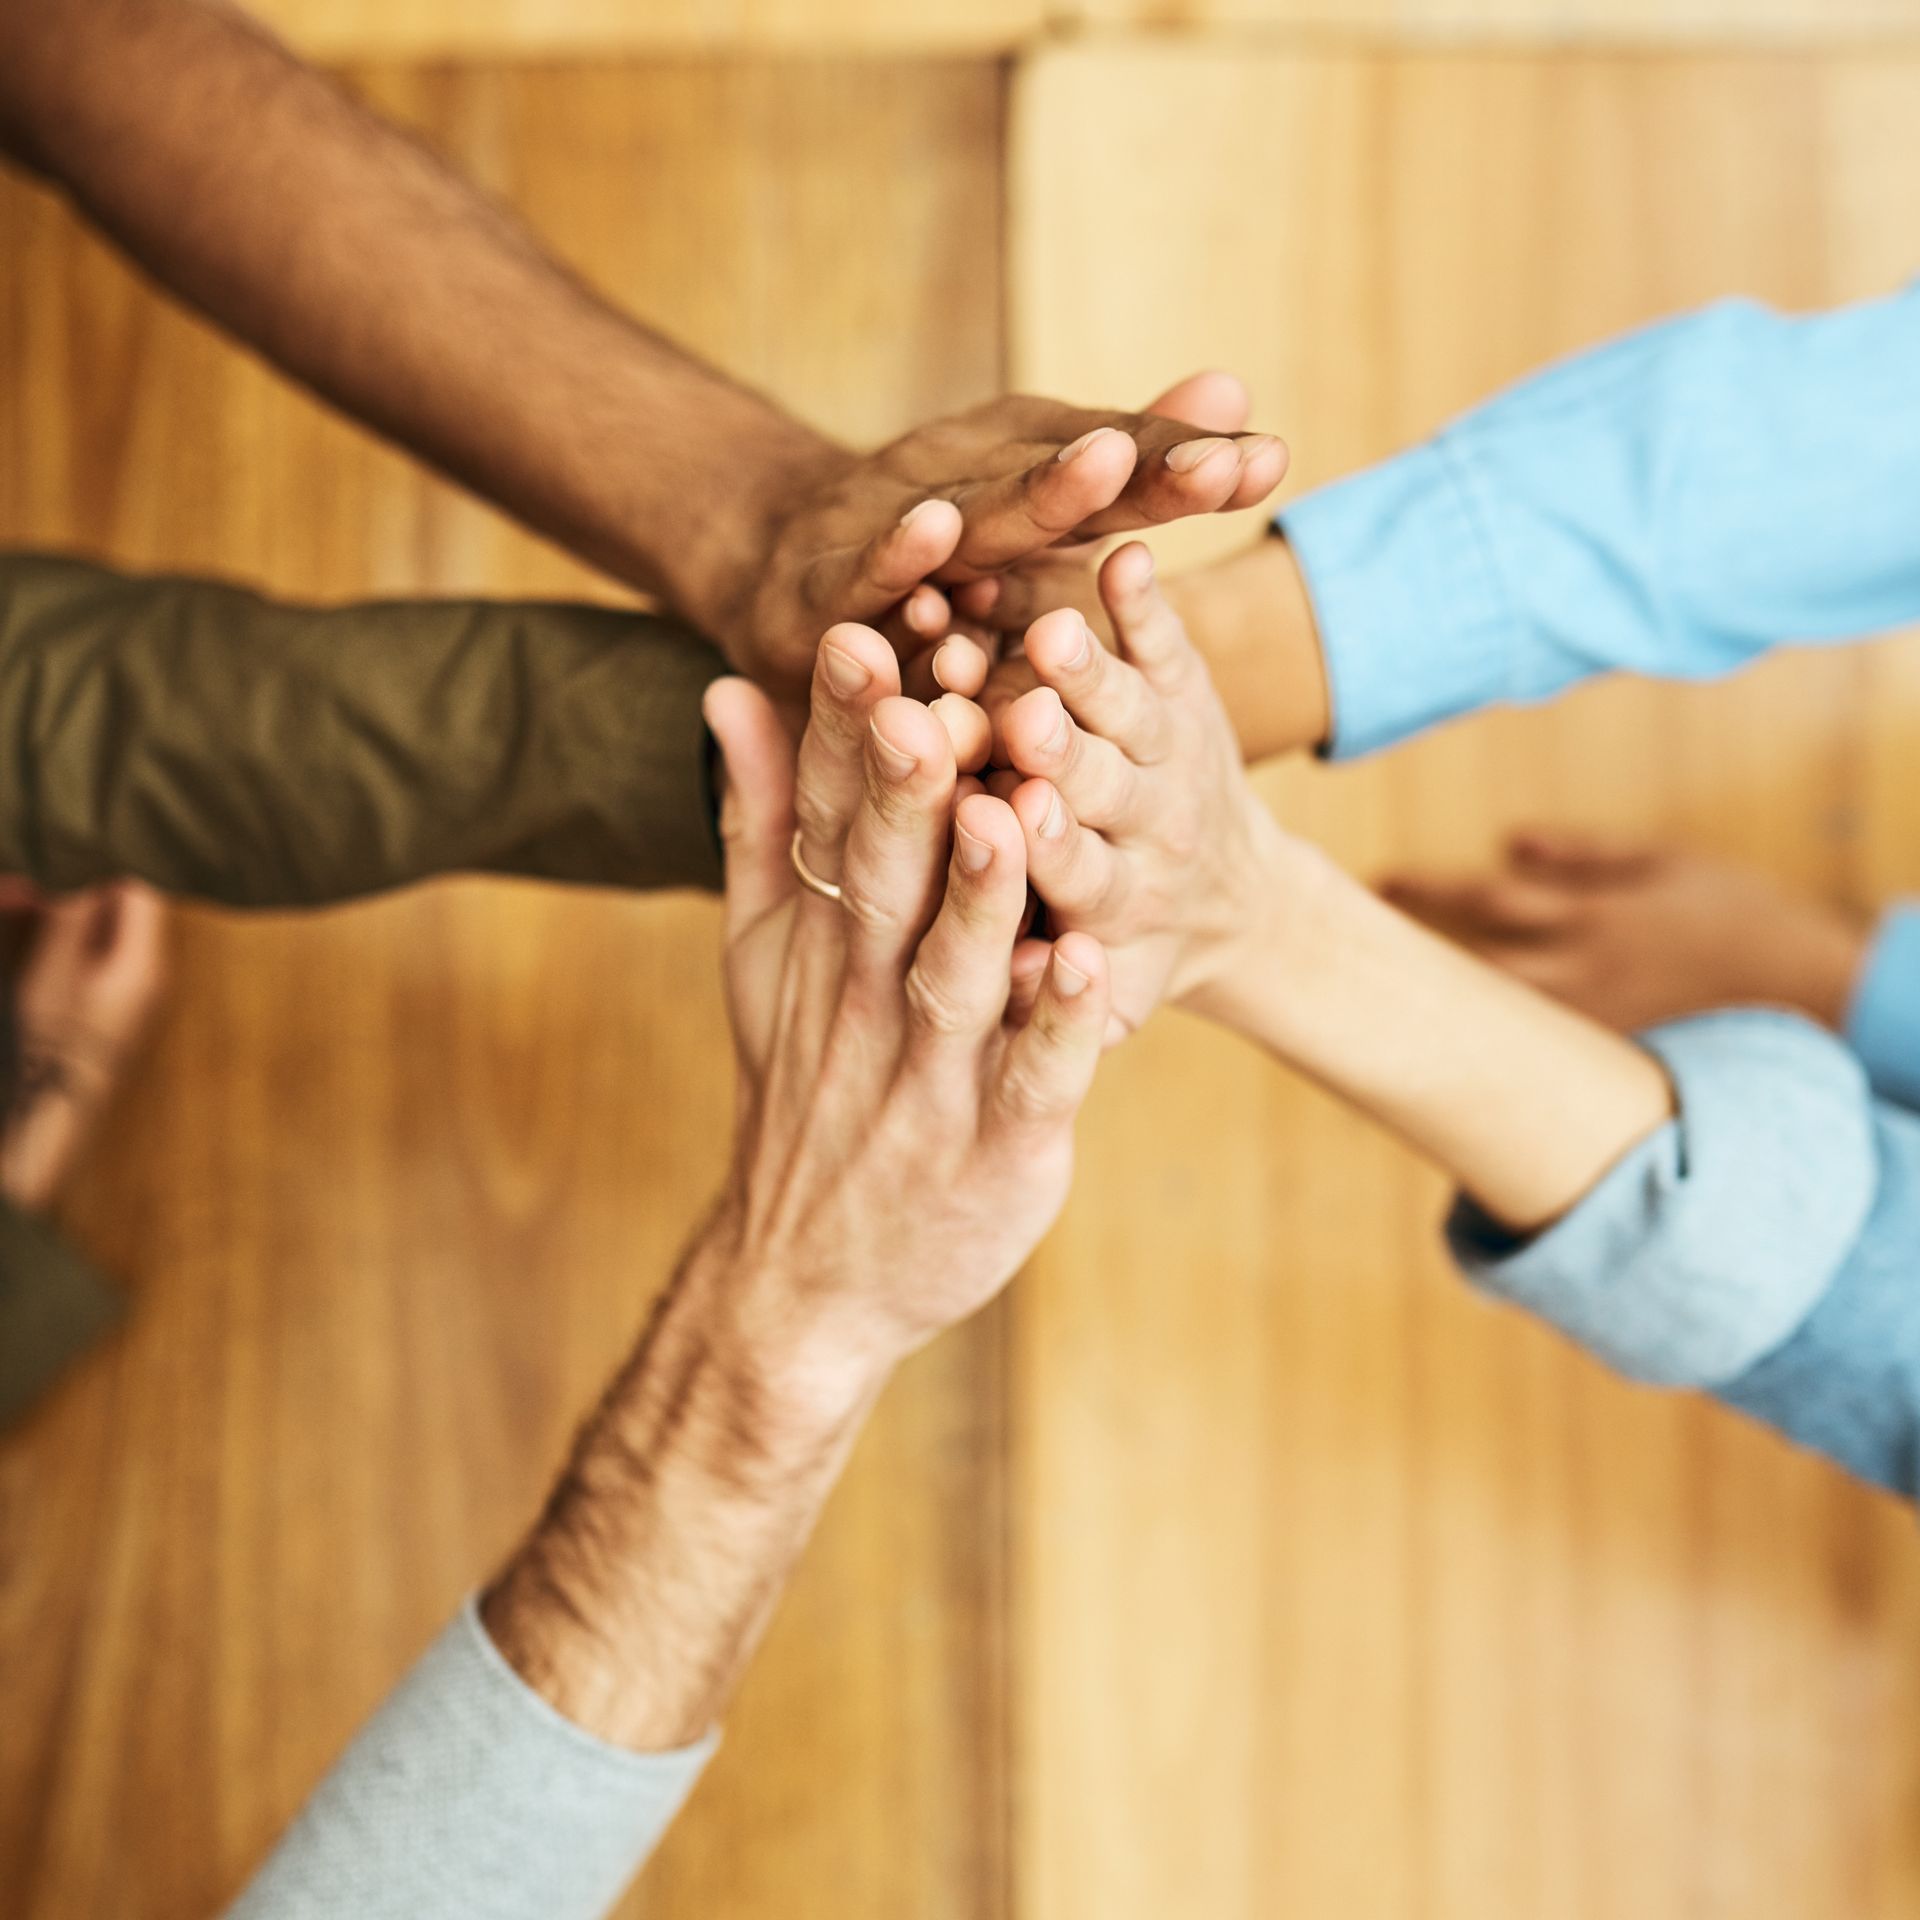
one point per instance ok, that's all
(358, 262)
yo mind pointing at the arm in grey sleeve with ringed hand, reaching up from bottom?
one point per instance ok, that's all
(533, 1760)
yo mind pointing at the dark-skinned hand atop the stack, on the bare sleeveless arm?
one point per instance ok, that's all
(859, 537)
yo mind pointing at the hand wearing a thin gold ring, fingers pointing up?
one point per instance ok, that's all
(901, 1143)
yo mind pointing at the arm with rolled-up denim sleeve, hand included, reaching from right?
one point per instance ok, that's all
(1721, 1207)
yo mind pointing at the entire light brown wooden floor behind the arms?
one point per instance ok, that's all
(1239, 1566)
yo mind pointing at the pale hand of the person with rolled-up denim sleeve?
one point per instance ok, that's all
(1126, 780)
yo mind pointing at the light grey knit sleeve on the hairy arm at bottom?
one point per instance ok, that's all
(469, 1798)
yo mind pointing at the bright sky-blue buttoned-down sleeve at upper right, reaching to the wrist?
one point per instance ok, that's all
(1671, 504)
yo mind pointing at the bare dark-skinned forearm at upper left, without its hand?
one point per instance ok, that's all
(352, 258)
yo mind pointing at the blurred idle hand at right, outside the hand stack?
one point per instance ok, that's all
(1637, 936)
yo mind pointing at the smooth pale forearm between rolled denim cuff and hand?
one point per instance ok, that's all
(1524, 1103)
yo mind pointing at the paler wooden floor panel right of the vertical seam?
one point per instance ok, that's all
(1339, 1593)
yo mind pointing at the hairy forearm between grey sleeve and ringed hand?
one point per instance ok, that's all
(640, 1596)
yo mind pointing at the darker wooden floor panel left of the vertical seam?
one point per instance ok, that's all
(396, 1184)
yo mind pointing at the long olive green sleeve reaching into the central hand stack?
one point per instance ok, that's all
(241, 752)
